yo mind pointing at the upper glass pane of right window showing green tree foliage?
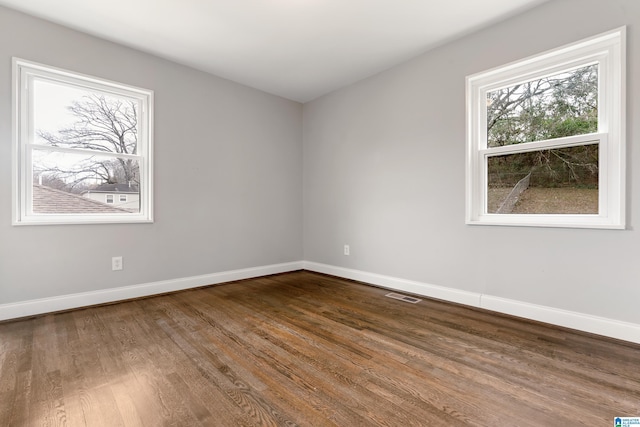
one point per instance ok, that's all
(556, 106)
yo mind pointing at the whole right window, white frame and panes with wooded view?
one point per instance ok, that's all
(545, 138)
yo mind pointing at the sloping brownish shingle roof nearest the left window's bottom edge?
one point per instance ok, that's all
(50, 200)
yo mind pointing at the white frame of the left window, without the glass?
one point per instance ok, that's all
(24, 74)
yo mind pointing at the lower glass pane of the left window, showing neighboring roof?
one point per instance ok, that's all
(78, 183)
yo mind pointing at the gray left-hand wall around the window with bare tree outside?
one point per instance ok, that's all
(228, 176)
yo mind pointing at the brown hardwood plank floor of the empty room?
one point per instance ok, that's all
(310, 350)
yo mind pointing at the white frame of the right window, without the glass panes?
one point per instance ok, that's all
(608, 51)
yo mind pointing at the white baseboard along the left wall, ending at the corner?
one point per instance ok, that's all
(84, 299)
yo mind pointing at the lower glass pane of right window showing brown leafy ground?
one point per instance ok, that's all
(553, 181)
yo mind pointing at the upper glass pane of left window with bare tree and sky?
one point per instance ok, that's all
(71, 117)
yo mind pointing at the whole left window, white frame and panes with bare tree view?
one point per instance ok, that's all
(76, 135)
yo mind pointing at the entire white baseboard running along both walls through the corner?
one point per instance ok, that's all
(570, 319)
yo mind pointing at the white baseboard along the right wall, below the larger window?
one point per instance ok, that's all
(583, 322)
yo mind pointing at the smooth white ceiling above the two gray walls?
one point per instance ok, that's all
(298, 49)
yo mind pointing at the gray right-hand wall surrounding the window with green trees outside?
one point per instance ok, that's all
(384, 171)
